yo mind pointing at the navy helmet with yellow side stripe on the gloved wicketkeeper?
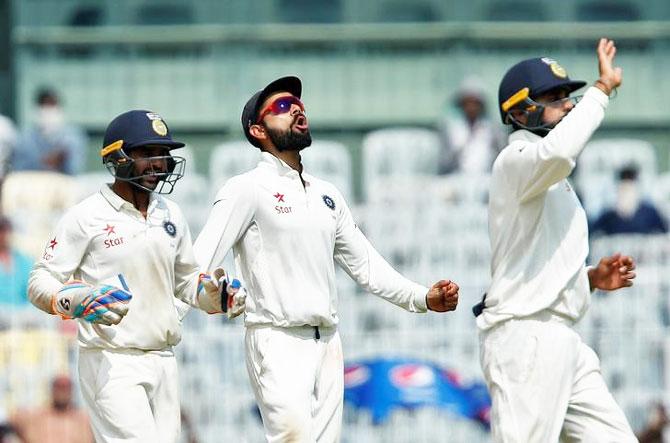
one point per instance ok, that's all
(138, 128)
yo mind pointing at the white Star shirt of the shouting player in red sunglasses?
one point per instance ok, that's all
(286, 238)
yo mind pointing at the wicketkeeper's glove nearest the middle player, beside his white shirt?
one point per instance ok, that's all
(217, 294)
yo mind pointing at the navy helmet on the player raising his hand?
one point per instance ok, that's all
(539, 75)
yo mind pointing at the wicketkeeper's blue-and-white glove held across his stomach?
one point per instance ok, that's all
(103, 304)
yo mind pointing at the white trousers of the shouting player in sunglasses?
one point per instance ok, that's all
(297, 376)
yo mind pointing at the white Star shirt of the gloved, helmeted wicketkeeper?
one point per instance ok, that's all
(104, 236)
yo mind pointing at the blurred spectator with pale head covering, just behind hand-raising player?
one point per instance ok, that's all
(471, 140)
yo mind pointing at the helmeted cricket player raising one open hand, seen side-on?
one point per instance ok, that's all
(545, 383)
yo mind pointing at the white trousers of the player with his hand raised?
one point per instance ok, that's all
(546, 384)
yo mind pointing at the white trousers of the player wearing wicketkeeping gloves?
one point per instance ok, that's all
(131, 395)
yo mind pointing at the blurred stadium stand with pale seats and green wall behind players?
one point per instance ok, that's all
(377, 75)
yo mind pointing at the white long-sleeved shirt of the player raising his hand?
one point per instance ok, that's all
(537, 226)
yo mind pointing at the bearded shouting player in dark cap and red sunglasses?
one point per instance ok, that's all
(287, 229)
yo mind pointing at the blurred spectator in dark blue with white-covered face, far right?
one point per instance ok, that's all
(631, 214)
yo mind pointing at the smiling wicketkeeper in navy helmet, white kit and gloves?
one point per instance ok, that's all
(116, 262)
